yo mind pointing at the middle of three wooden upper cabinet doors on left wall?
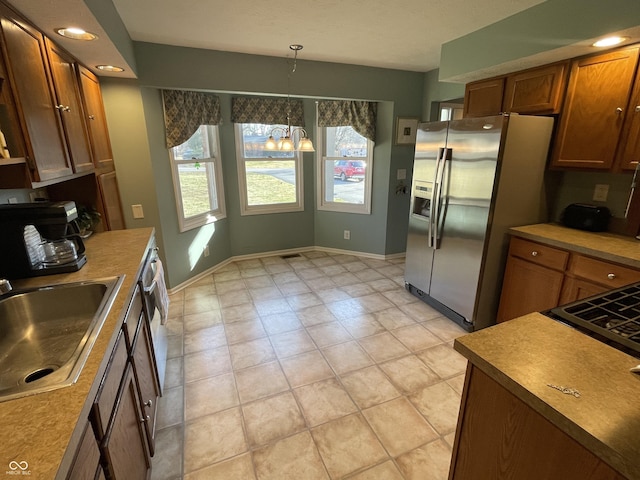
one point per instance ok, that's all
(69, 106)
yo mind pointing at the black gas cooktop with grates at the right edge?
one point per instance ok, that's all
(612, 317)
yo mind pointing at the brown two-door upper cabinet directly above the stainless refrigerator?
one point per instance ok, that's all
(534, 91)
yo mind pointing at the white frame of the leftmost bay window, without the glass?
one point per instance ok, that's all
(216, 188)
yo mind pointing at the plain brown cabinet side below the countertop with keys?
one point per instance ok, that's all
(500, 436)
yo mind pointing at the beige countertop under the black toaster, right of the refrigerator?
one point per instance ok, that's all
(608, 246)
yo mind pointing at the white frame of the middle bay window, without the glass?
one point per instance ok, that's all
(245, 208)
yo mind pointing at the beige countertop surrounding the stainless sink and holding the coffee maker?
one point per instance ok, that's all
(38, 429)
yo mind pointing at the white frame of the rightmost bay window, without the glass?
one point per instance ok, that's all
(342, 207)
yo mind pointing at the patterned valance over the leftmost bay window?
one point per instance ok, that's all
(185, 111)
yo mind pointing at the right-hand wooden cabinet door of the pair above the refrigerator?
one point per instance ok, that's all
(535, 91)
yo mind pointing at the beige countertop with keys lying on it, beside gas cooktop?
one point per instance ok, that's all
(526, 354)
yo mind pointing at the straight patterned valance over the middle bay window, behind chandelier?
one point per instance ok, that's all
(268, 111)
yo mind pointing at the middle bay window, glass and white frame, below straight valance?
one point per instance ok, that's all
(270, 181)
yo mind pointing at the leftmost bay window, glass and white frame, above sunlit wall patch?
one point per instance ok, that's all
(197, 179)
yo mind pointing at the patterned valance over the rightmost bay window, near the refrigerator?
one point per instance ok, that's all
(357, 114)
